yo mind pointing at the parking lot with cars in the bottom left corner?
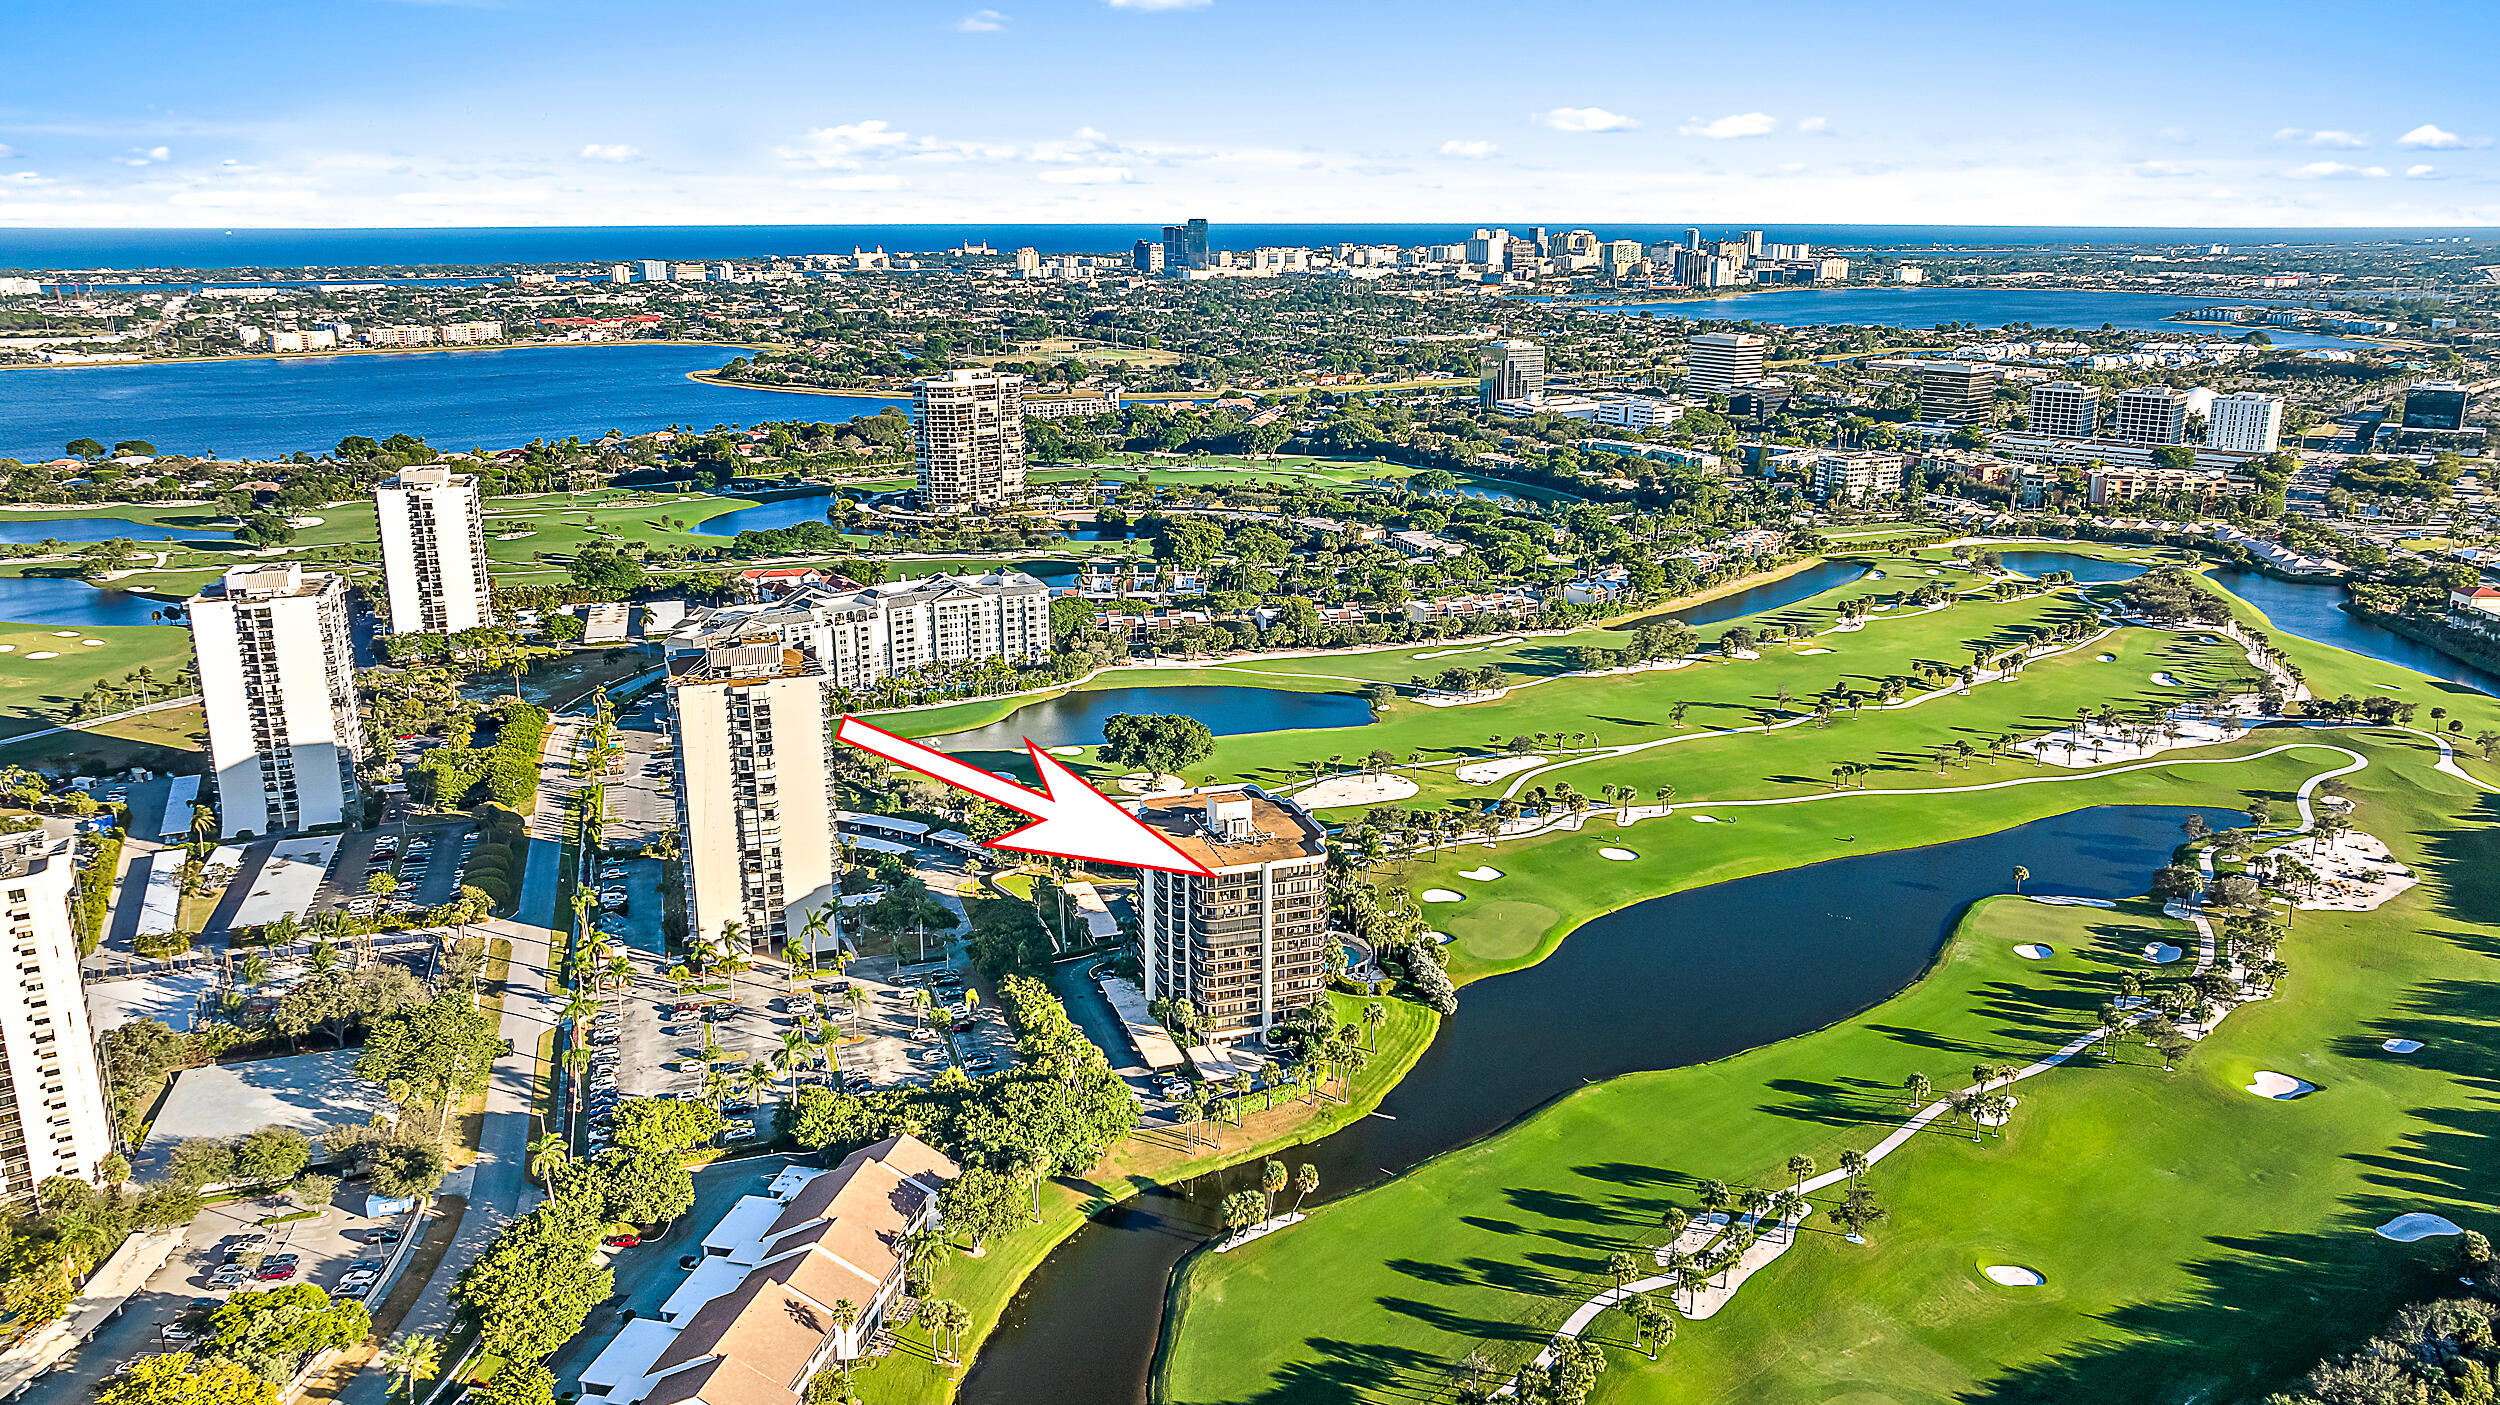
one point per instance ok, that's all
(179, 1296)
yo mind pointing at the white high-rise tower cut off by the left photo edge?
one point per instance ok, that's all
(54, 1116)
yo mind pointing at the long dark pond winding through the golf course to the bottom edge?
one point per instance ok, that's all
(1664, 984)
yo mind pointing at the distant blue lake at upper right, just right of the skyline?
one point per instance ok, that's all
(1981, 306)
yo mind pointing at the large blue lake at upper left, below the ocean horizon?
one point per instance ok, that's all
(454, 401)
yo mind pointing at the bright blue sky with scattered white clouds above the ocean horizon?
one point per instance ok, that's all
(1456, 111)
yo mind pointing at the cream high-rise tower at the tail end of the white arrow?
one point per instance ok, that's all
(754, 791)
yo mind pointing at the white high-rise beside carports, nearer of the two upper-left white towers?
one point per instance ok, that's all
(279, 689)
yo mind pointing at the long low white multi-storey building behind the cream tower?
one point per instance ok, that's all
(884, 631)
